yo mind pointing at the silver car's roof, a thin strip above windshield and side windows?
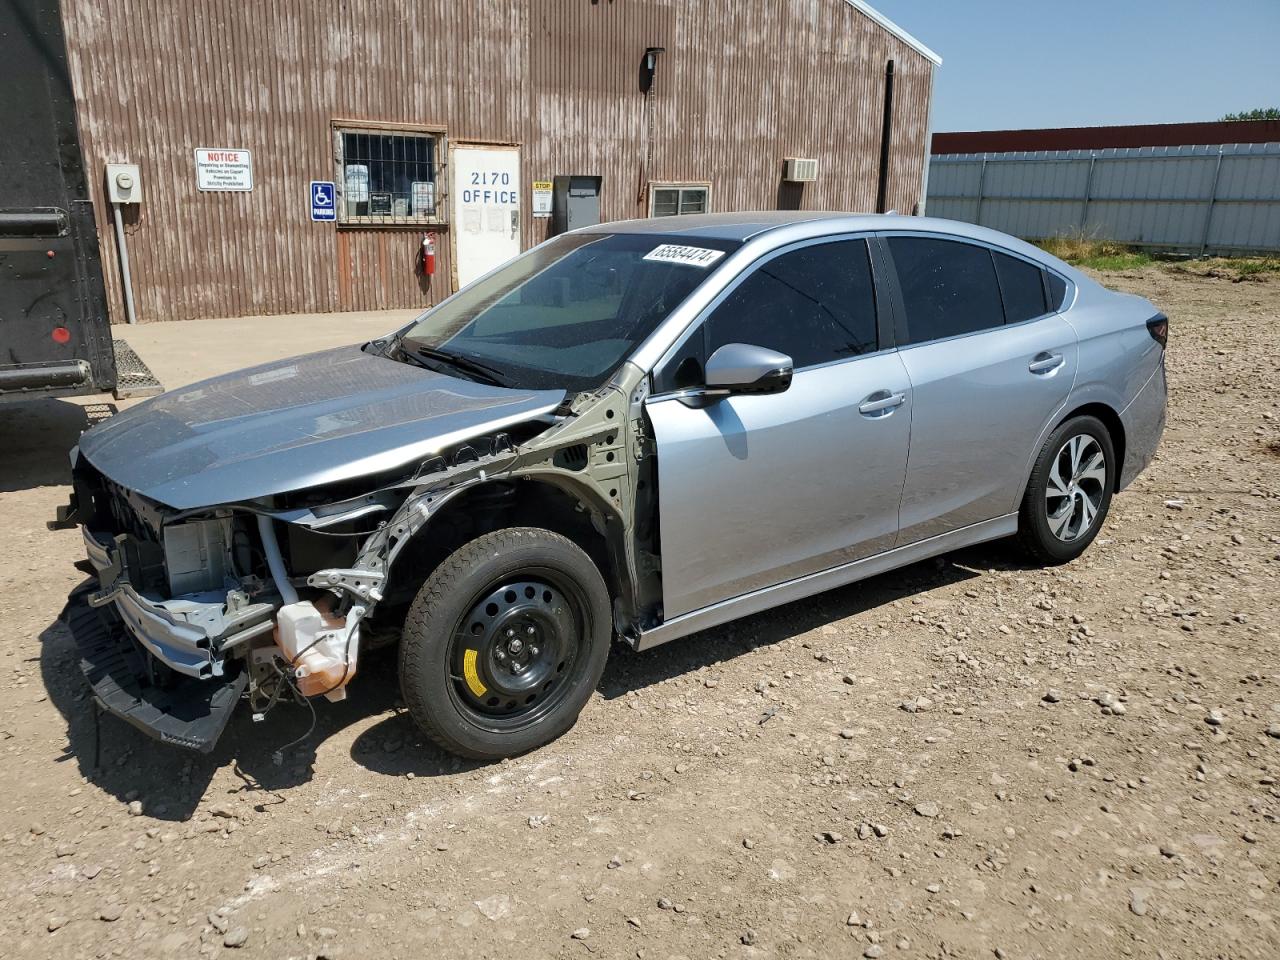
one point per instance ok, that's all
(742, 227)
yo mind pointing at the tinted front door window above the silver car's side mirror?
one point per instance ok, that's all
(816, 305)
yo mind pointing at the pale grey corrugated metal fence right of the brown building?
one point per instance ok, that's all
(1196, 199)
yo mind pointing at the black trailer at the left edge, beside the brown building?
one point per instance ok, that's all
(56, 336)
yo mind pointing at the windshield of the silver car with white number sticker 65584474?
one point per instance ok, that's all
(566, 314)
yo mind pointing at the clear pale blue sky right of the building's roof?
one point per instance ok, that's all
(1009, 65)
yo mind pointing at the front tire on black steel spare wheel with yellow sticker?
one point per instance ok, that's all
(505, 643)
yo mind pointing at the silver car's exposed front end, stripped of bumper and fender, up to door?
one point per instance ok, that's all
(273, 600)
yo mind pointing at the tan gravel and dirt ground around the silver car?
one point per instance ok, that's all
(967, 758)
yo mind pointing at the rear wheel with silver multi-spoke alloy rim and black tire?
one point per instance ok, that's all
(1057, 528)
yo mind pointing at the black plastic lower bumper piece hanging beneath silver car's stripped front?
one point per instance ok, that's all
(190, 714)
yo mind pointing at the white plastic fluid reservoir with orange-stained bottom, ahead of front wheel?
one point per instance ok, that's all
(318, 643)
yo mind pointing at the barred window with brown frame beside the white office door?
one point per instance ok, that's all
(390, 176)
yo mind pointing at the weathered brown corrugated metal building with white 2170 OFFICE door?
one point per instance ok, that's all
(405, 108)
